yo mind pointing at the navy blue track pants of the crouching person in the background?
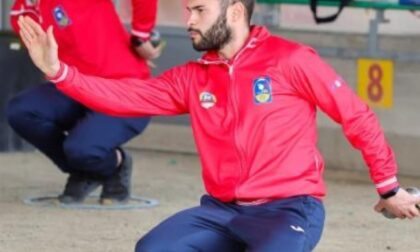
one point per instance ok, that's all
(76, 139)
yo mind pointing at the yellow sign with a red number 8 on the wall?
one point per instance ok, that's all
(376, 82)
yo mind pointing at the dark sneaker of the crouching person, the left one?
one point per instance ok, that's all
(77, 188)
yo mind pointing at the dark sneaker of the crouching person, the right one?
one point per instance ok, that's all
(117, 187)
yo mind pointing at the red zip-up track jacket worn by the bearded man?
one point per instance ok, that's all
(253, 117)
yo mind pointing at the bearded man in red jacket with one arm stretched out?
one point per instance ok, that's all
(252, 99)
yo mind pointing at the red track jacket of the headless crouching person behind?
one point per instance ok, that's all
(90, 34)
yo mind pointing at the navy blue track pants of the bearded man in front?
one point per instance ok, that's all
(287, 225)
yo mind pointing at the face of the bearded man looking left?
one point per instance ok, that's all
(207, 25)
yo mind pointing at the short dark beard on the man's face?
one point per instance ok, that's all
(216, 37)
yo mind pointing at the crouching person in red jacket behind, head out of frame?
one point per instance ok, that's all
(81, 142)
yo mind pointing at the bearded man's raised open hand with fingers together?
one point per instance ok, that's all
(41, 45)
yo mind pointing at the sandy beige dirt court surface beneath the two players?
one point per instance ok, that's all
(175, 181)
